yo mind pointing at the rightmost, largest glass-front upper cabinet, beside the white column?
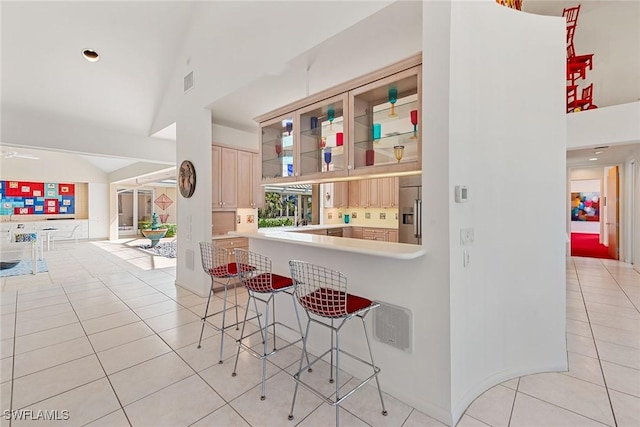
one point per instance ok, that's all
(386, 128)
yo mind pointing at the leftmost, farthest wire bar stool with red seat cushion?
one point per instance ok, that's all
(215, 262)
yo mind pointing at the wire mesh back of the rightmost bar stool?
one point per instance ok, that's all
(319, 289)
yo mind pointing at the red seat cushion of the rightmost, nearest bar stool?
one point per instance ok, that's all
(331, 303)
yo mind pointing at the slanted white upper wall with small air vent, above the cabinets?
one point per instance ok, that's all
(272, 46)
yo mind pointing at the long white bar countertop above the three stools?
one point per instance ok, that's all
(366, 247)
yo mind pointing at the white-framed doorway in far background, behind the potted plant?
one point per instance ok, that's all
(134, 205)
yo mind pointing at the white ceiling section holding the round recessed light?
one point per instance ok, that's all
(43, 71)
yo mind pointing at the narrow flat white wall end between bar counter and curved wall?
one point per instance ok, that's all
(436, 30)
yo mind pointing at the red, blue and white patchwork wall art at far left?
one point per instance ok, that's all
(36, 198)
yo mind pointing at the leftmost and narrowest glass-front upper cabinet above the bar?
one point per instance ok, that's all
(278, 148)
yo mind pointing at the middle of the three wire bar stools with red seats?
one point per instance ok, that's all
(263, 286)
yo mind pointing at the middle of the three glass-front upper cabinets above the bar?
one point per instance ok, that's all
(323, 149)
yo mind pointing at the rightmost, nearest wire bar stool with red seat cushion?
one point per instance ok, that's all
(323, 294)
